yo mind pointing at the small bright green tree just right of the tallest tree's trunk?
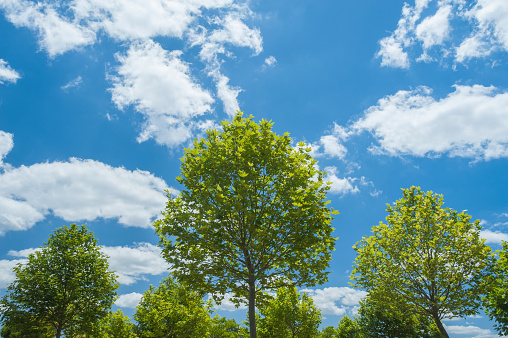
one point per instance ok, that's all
(291, 314)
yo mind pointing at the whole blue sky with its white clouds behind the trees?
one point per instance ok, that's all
(99, 99)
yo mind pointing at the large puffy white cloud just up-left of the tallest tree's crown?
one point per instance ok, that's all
(159, 85)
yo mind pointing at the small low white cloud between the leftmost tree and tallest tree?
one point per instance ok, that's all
(134, 263)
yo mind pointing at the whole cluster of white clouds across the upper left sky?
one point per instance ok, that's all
(155, 81)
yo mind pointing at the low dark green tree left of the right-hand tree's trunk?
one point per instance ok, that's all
(383, 320)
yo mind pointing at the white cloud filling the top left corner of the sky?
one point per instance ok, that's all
(57, 34)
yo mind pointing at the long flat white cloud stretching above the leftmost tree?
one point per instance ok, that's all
(78, 190)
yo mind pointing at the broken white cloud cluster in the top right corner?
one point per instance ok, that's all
(479, 29)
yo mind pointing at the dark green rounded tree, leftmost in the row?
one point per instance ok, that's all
(66, 285)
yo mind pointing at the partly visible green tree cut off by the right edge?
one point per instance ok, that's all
(496, 303)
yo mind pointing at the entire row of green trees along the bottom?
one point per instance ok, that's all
(253, 218)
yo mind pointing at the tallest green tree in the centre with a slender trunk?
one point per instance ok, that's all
(252, 216)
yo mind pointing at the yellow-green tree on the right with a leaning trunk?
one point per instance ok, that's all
(427, 257)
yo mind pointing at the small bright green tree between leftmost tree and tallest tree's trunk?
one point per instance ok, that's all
(172, 311)
